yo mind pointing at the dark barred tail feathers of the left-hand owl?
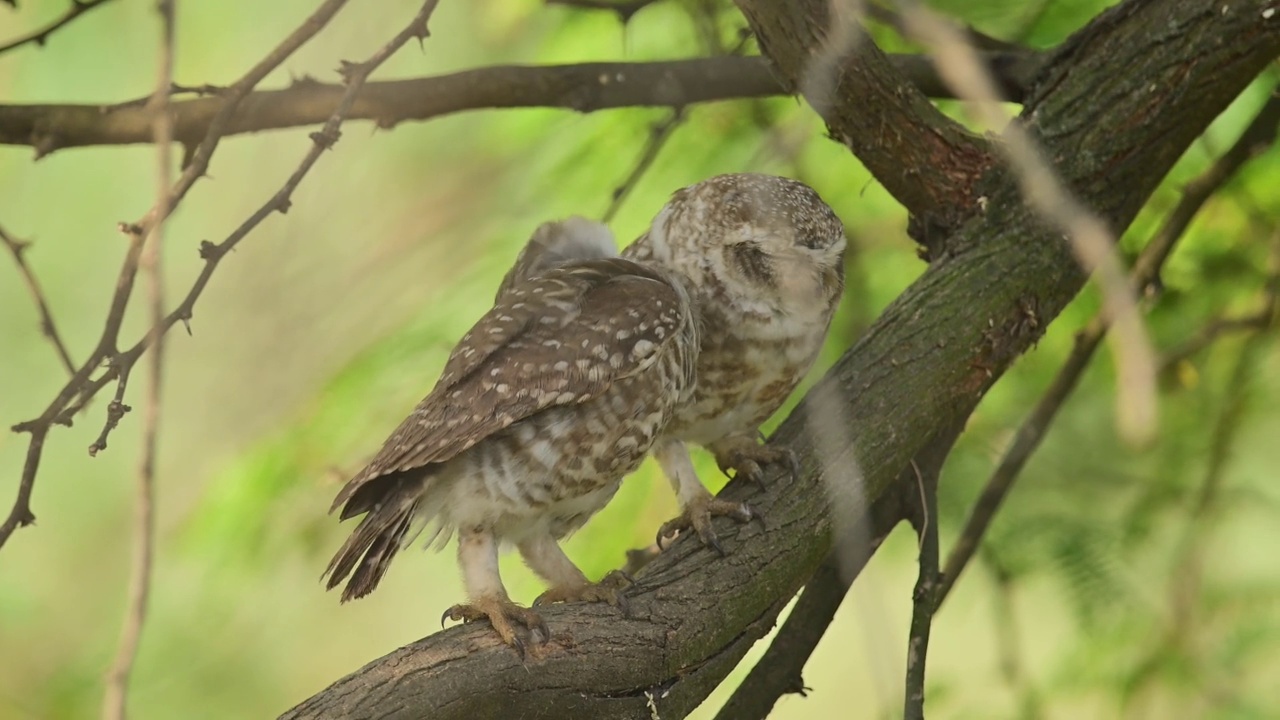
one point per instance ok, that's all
(371, 549)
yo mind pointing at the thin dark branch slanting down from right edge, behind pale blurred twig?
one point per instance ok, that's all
(1146, 272)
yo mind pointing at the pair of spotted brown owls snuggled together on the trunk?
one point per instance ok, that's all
(587, 363)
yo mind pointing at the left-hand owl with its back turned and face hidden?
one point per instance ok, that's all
(546, 404)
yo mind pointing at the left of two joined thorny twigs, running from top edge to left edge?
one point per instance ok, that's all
(80, 389)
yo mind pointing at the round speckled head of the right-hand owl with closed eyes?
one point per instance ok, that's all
(762, 243)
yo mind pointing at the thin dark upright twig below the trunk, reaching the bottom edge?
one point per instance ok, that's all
(924, 604)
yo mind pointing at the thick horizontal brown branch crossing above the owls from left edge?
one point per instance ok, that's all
(586, 88)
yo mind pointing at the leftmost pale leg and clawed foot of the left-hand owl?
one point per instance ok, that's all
(478, 557)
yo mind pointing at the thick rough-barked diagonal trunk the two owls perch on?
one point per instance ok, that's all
(1114, 108)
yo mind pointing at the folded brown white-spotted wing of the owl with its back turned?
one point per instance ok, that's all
(560, 339)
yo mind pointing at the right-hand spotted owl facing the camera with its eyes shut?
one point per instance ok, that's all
(764, 259)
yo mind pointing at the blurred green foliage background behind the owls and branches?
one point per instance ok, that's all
(1103, 593)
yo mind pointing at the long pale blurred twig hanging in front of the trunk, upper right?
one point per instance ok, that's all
(1091, 239)
